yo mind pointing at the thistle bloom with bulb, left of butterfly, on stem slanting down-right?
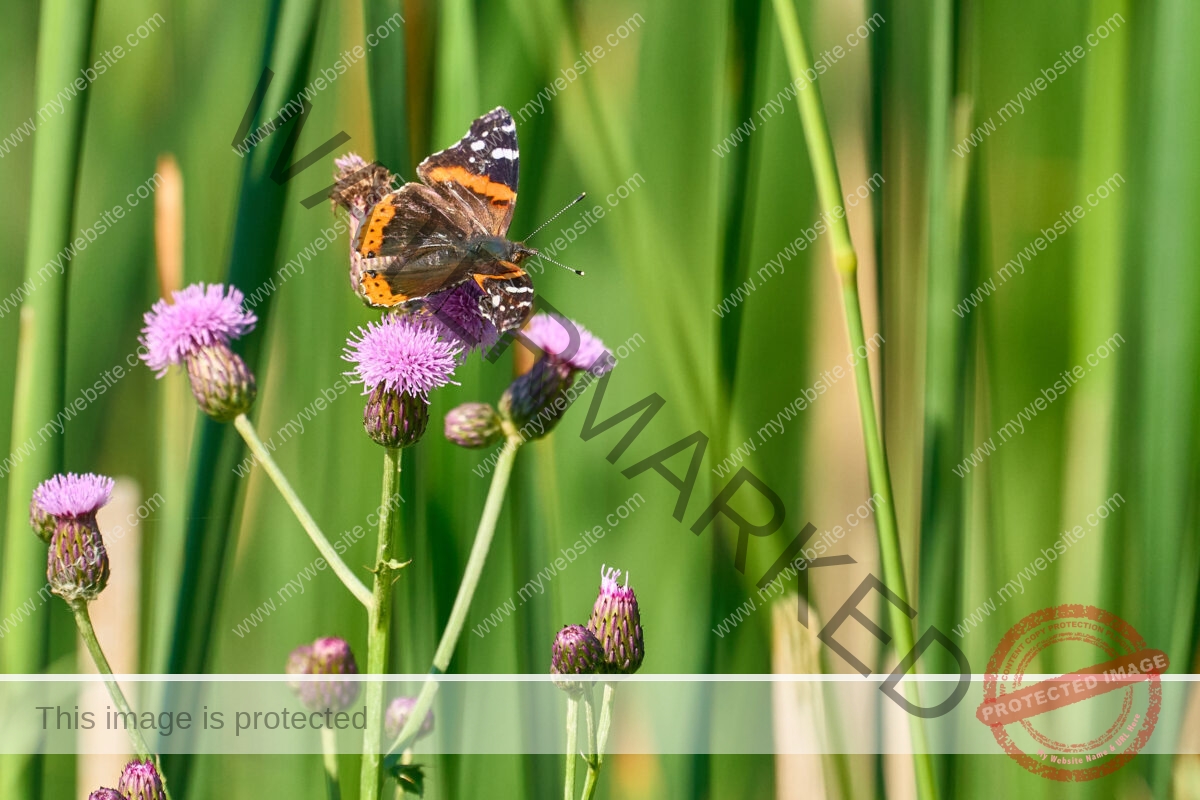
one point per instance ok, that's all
(196, 330)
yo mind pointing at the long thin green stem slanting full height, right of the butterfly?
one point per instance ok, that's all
(825, 171)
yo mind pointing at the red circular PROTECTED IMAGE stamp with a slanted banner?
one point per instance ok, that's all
(1090, 720)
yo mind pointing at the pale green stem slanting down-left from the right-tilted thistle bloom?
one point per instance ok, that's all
(466, 592)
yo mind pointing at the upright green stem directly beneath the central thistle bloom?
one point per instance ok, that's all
(380, 625)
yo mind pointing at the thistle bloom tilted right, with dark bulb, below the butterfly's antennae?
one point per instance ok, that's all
(543, 395)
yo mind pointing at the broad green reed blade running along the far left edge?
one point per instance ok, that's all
(65, 35)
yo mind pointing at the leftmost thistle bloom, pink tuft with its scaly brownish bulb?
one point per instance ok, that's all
(77, 563)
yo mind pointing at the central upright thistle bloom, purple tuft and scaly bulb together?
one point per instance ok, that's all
(399, 362)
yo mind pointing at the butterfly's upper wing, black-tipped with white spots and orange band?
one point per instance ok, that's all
(481, 172)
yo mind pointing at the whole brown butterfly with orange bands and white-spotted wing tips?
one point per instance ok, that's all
(452, 227)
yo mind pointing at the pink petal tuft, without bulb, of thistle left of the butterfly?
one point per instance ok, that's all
(199, 316)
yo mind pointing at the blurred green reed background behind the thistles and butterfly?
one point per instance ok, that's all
(705, 210)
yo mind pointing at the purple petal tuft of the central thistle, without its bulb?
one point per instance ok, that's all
(401, 356)
